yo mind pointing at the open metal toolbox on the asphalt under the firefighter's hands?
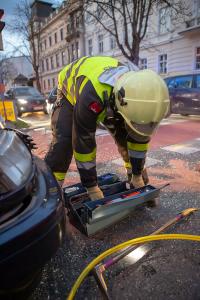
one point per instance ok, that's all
(118, 202)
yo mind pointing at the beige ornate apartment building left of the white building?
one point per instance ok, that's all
(61, 41)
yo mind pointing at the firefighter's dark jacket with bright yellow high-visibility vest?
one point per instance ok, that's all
(80, 85)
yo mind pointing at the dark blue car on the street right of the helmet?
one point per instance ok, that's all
(184, 91)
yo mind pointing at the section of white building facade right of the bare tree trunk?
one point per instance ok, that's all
(173, 47)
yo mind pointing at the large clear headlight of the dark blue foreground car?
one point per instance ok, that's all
(15, 162)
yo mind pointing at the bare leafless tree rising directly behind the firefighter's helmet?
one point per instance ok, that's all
(134, 16)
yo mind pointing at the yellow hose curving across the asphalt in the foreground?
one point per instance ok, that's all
(140, 240)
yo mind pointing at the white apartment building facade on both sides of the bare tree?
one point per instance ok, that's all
(170, 46)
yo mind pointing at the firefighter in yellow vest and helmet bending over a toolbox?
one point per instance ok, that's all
(130, 104)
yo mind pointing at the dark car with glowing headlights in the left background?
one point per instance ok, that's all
(26, 99)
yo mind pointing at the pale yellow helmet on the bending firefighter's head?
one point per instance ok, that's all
(142, 99)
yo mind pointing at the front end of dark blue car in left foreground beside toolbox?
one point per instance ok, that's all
(32, 216)
